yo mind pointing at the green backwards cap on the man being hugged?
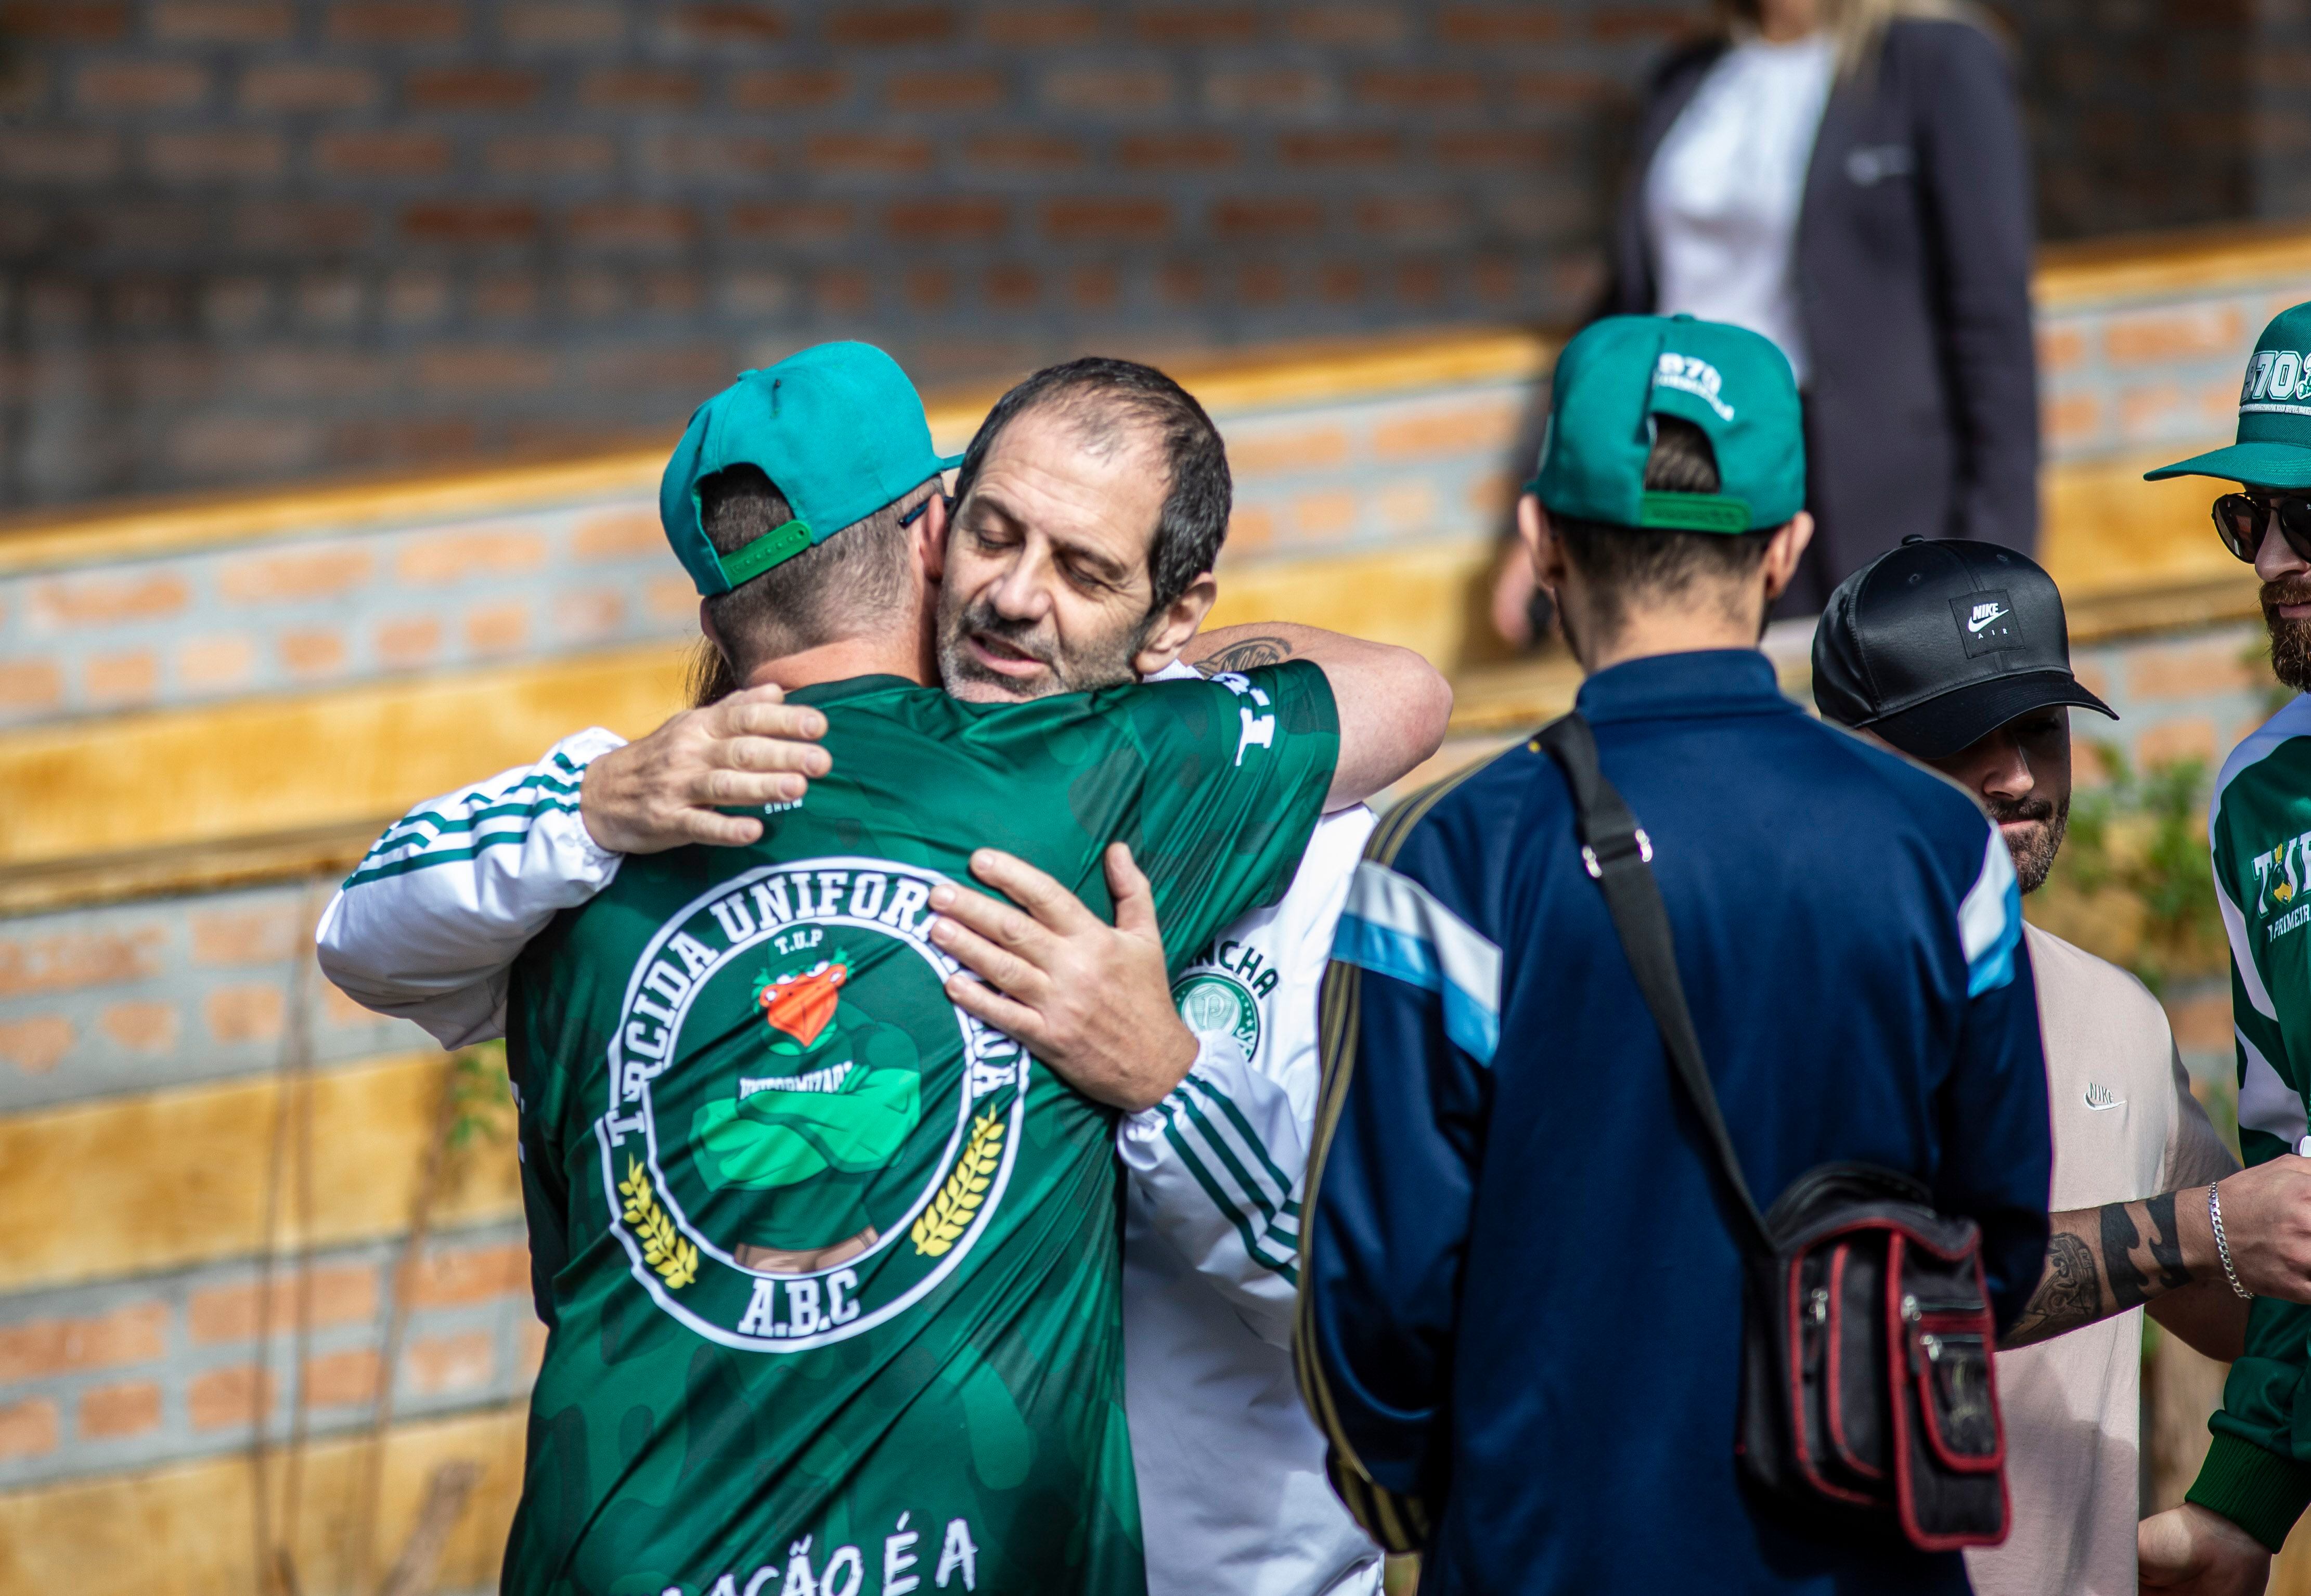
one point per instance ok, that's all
(835, 426)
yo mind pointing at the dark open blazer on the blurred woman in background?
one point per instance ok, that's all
(1915, 248)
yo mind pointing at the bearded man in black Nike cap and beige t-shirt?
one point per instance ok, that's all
(1959, 655)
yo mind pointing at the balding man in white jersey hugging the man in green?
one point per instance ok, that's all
(1231, 1470)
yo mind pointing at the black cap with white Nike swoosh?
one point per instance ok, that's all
(1940, 641)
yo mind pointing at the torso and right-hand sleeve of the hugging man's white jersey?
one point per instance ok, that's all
(1233, 1491)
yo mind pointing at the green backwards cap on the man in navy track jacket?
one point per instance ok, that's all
(1626, 371)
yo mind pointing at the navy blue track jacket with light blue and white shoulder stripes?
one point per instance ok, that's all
(1519, 1297)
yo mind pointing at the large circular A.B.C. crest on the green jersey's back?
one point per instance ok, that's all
(805, 1138)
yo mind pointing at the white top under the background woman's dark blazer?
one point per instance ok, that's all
(1727, 184)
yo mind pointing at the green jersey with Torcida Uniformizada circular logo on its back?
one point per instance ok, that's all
(831, 1267)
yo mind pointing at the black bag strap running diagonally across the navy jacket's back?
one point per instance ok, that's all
(1621, 858)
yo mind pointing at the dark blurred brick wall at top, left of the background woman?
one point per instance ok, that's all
(260, 239)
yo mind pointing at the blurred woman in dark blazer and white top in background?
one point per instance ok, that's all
(1850, 179)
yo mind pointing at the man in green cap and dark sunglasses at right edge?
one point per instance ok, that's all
(2257, 1479)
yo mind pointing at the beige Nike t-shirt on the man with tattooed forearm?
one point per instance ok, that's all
(2125, 1128)
